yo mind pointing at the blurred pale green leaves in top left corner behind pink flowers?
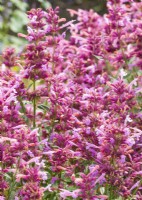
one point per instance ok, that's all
(13, 19)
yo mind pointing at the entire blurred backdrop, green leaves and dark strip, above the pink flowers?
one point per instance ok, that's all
(13, 17)
